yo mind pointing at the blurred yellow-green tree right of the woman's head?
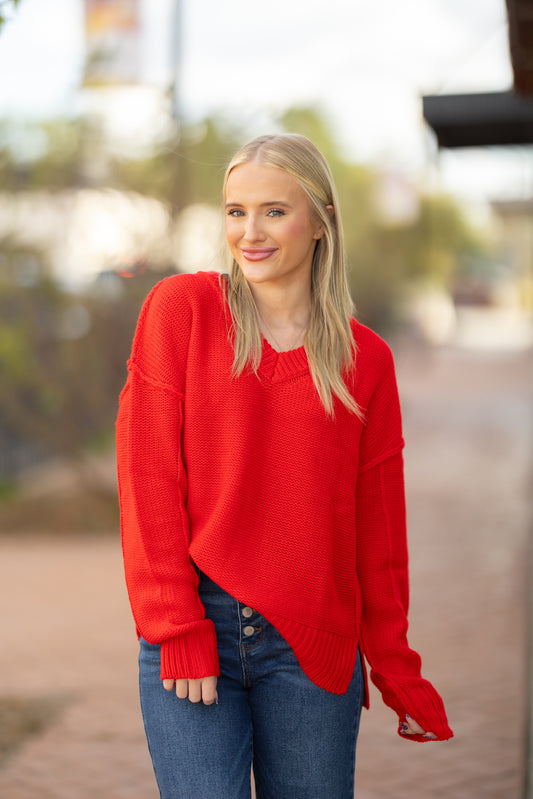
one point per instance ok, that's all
(383, 256)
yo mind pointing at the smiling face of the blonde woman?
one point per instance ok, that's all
(270, 229)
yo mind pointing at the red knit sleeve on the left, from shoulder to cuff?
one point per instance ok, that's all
(161, 580)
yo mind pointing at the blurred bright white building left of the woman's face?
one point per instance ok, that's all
(84, 232)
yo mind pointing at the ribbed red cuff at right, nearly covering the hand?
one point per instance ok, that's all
(417, 698)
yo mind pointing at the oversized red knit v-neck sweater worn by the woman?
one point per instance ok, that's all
(296, 514)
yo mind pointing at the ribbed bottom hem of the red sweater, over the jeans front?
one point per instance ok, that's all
(327, 659)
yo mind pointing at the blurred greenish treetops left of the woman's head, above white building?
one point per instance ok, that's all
(186, 168)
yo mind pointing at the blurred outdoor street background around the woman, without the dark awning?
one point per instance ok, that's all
(117, 118)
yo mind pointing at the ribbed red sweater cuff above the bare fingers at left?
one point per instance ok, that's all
(191, 655)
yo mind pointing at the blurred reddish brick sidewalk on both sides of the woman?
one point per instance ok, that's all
(469, 430)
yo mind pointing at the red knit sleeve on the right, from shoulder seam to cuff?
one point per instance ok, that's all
(382, 565)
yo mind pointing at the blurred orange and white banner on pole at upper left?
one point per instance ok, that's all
(112, 29)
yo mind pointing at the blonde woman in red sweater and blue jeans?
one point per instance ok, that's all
(261, 484)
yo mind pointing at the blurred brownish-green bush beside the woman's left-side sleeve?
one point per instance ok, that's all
(62, 358)
